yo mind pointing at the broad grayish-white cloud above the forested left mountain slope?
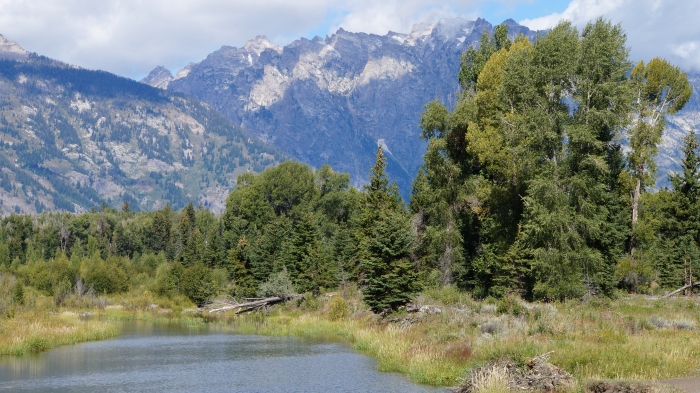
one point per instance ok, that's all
(130, 37)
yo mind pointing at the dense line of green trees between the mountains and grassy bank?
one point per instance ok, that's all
(538, 183)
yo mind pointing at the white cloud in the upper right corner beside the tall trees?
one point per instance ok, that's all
(664, 28)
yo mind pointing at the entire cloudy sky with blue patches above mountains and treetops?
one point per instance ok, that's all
(131, 37)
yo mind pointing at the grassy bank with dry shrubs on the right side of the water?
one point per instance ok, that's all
(632, 338)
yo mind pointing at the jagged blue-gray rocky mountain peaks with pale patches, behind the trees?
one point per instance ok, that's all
(330, 100)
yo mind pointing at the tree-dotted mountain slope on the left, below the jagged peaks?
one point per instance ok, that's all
(71, 138)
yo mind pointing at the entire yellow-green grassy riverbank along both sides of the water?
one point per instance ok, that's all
(631, 338)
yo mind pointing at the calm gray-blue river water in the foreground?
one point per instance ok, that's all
(156, 358)
